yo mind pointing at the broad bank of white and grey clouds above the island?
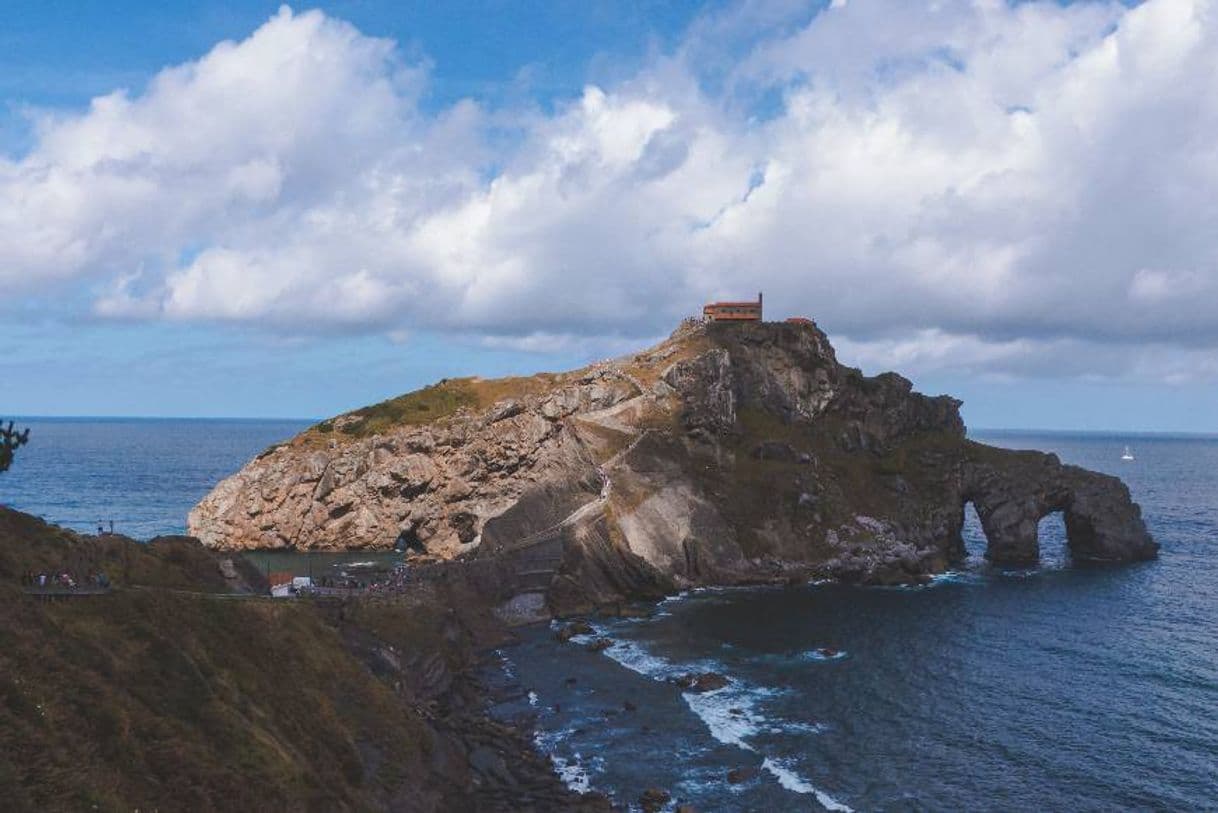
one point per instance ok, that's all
(966, 185)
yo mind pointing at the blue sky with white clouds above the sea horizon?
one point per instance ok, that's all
(252, 210)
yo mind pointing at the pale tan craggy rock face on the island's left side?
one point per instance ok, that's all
(433, 486)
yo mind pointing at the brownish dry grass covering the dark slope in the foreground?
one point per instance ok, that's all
(157, 700)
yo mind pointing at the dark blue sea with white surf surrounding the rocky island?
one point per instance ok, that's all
(1053, 688)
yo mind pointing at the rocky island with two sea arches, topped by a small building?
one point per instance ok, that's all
(728, 454)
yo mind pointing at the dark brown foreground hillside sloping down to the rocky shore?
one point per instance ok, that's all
(172, 694)
